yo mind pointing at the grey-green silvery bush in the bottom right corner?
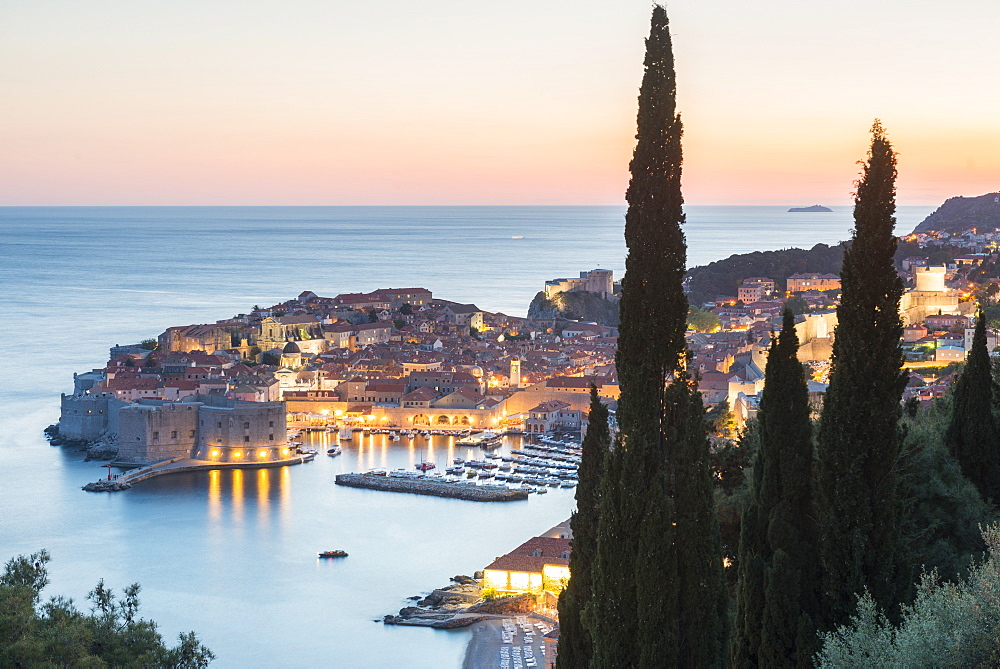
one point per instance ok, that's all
(948, 625)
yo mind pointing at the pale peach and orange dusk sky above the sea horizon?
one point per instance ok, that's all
(329, 102)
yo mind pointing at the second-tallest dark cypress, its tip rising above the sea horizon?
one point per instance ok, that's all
(859, 439)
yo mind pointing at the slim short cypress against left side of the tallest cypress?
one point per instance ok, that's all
(574, 639)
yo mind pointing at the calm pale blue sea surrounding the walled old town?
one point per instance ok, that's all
(231, 554)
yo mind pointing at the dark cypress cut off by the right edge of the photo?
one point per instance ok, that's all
(972, 436)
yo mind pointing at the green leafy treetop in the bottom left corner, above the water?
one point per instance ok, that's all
(56, 633)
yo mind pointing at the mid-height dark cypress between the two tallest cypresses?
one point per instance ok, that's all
(778, 590)
